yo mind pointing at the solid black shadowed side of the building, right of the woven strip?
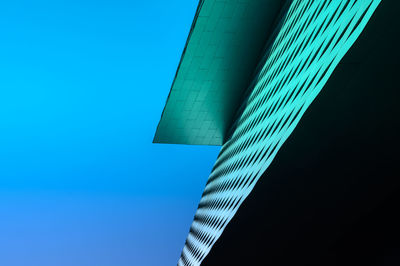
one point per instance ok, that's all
(332, 194)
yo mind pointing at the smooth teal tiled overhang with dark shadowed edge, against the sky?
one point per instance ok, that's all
(221, 53)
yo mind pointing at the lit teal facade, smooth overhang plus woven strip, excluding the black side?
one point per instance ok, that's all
(249, 73)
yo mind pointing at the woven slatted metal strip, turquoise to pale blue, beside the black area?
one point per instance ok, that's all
(313, 38)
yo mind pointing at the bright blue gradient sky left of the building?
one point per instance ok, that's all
(82, 87)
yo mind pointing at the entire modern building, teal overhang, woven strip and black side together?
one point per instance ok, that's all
(303, 98)
